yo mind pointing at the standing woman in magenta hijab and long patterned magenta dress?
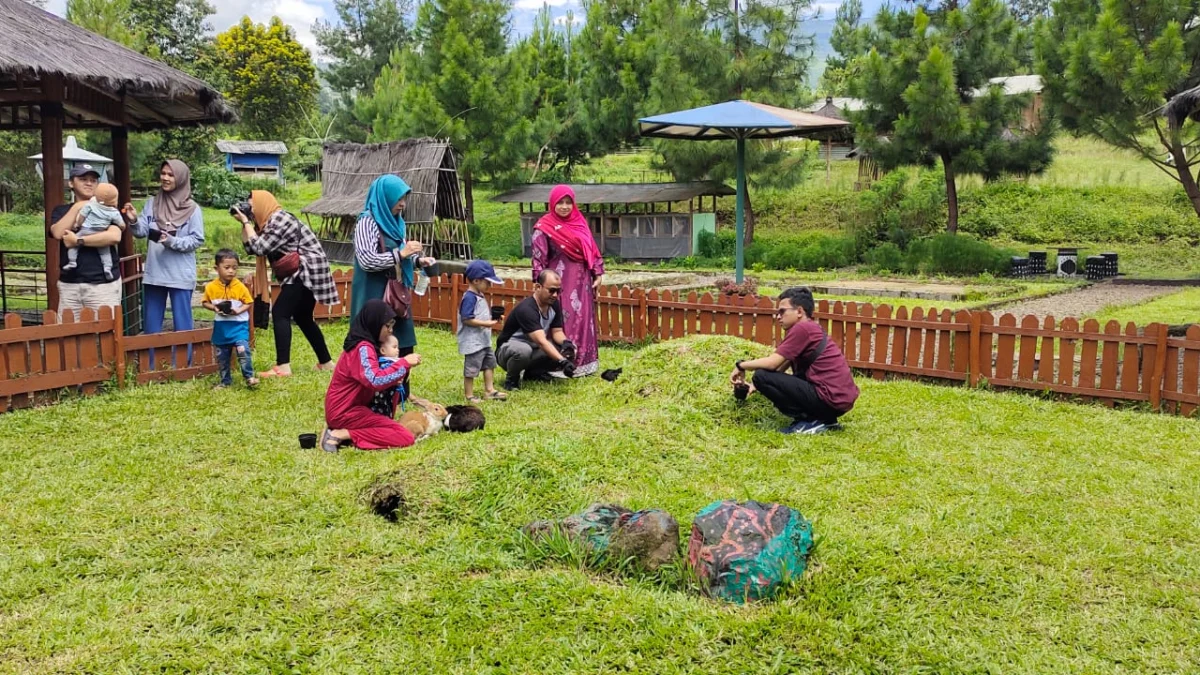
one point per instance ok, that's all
(562, 242)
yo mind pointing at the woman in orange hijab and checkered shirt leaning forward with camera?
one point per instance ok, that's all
(298, 256)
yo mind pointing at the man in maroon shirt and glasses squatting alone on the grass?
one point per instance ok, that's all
(820, 389)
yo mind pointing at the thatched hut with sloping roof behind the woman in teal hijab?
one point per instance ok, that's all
(435, 213)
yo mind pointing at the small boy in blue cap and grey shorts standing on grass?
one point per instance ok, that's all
(476, 322)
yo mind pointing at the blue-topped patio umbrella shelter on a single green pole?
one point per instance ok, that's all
(737, 121)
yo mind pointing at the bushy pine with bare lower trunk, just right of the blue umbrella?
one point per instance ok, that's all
(928, 97)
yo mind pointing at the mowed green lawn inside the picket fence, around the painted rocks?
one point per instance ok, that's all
(176, 529)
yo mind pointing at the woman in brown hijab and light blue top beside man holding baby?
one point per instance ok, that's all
(175, 225)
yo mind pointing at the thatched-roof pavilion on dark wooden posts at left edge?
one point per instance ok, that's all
(56, 75)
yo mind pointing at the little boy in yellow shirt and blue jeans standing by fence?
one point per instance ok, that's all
(232, 302)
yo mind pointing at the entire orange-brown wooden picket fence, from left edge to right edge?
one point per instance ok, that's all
(1111, 365)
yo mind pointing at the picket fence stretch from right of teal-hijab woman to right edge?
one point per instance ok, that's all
(1109, 365)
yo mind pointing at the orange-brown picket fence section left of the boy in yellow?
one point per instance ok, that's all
(39, 363)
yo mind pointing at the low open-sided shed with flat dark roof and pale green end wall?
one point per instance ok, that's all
(633, 222)
